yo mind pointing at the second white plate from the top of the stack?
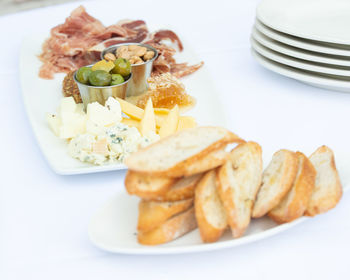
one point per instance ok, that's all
(300, 43)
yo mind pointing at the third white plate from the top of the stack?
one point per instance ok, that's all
(298, 53)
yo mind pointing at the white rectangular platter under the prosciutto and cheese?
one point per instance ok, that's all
(42, 96)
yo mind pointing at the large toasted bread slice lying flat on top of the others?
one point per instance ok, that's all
(172, 155)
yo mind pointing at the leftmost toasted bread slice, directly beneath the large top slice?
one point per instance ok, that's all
(145, 185)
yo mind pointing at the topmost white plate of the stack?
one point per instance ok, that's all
(321, 20)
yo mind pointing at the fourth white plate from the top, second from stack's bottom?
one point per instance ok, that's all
(297, 63)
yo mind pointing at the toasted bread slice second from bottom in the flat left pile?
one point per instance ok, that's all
(153, 214)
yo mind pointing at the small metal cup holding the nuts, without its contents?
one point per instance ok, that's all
(140, 72)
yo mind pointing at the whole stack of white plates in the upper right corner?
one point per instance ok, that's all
(308, 40)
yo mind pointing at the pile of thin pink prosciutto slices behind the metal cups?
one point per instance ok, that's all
(81, 38)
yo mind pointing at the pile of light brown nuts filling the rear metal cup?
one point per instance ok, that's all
(134, 53)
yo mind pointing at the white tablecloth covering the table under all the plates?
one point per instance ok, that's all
(44, 216)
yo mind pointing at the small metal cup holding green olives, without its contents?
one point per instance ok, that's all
(91, 93)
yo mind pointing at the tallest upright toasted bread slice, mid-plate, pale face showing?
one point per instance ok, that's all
(239, 181)
